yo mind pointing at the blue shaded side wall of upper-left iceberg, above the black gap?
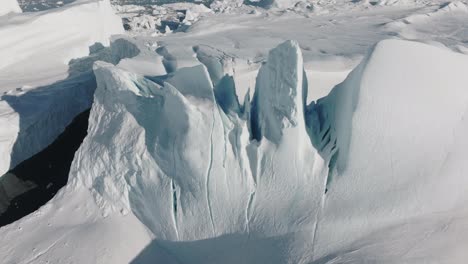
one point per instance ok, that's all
(35, 118)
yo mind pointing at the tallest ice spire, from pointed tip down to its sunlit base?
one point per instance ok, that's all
(284, 155)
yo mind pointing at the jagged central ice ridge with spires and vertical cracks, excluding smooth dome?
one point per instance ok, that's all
(194, 163)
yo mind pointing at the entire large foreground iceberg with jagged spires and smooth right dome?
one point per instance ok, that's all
(372, 173)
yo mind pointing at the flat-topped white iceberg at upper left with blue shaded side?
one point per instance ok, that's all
(35, 108)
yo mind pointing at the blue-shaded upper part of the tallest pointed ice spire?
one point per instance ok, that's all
(279, 95)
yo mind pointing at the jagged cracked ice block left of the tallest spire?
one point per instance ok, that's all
(172, 184)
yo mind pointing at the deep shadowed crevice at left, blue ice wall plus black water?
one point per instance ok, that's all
(53, 122)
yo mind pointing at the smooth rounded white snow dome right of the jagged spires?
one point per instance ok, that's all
(410, 117)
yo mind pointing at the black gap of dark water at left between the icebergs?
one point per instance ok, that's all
(36, 180)
